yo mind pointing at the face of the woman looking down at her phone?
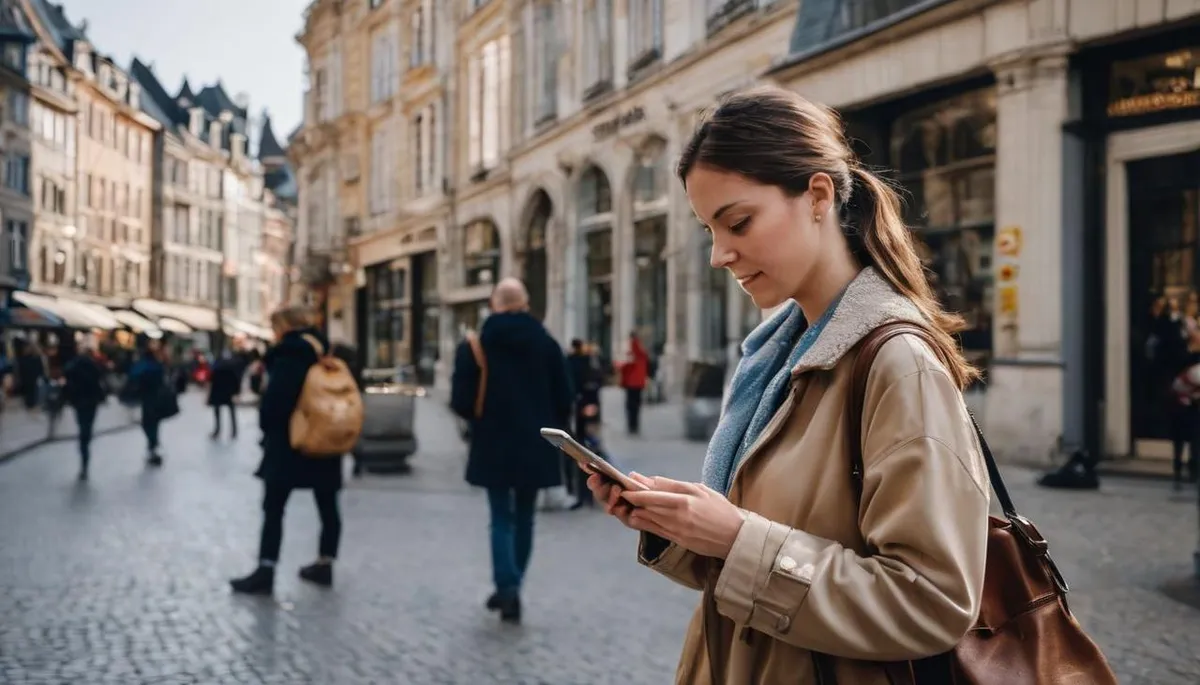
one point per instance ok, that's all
(769, 241)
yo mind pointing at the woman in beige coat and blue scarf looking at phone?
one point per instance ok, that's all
(790, 563)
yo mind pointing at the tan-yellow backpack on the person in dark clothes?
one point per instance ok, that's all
(328, 419)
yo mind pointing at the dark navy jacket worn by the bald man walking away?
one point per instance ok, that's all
(527, 389)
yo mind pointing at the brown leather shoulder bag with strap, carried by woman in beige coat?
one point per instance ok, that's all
(1025, 634)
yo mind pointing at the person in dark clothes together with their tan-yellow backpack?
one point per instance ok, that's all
(311, 416)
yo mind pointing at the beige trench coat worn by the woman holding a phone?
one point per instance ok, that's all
(799, 578)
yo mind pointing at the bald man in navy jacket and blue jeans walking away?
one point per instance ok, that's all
(525, 387)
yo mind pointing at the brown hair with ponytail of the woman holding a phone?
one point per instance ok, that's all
(778, 139)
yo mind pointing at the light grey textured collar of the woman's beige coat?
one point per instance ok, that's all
(868, 303)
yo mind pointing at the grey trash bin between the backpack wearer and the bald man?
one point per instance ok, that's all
(389, 423)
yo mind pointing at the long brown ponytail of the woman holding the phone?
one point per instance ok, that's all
(881, 239)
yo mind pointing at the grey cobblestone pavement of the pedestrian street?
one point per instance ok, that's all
(123, 580)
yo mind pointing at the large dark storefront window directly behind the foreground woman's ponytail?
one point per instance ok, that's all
(945, 157)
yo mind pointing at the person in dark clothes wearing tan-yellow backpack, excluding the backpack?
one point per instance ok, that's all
(285, 470)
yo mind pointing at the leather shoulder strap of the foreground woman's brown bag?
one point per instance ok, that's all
(868, 348)
